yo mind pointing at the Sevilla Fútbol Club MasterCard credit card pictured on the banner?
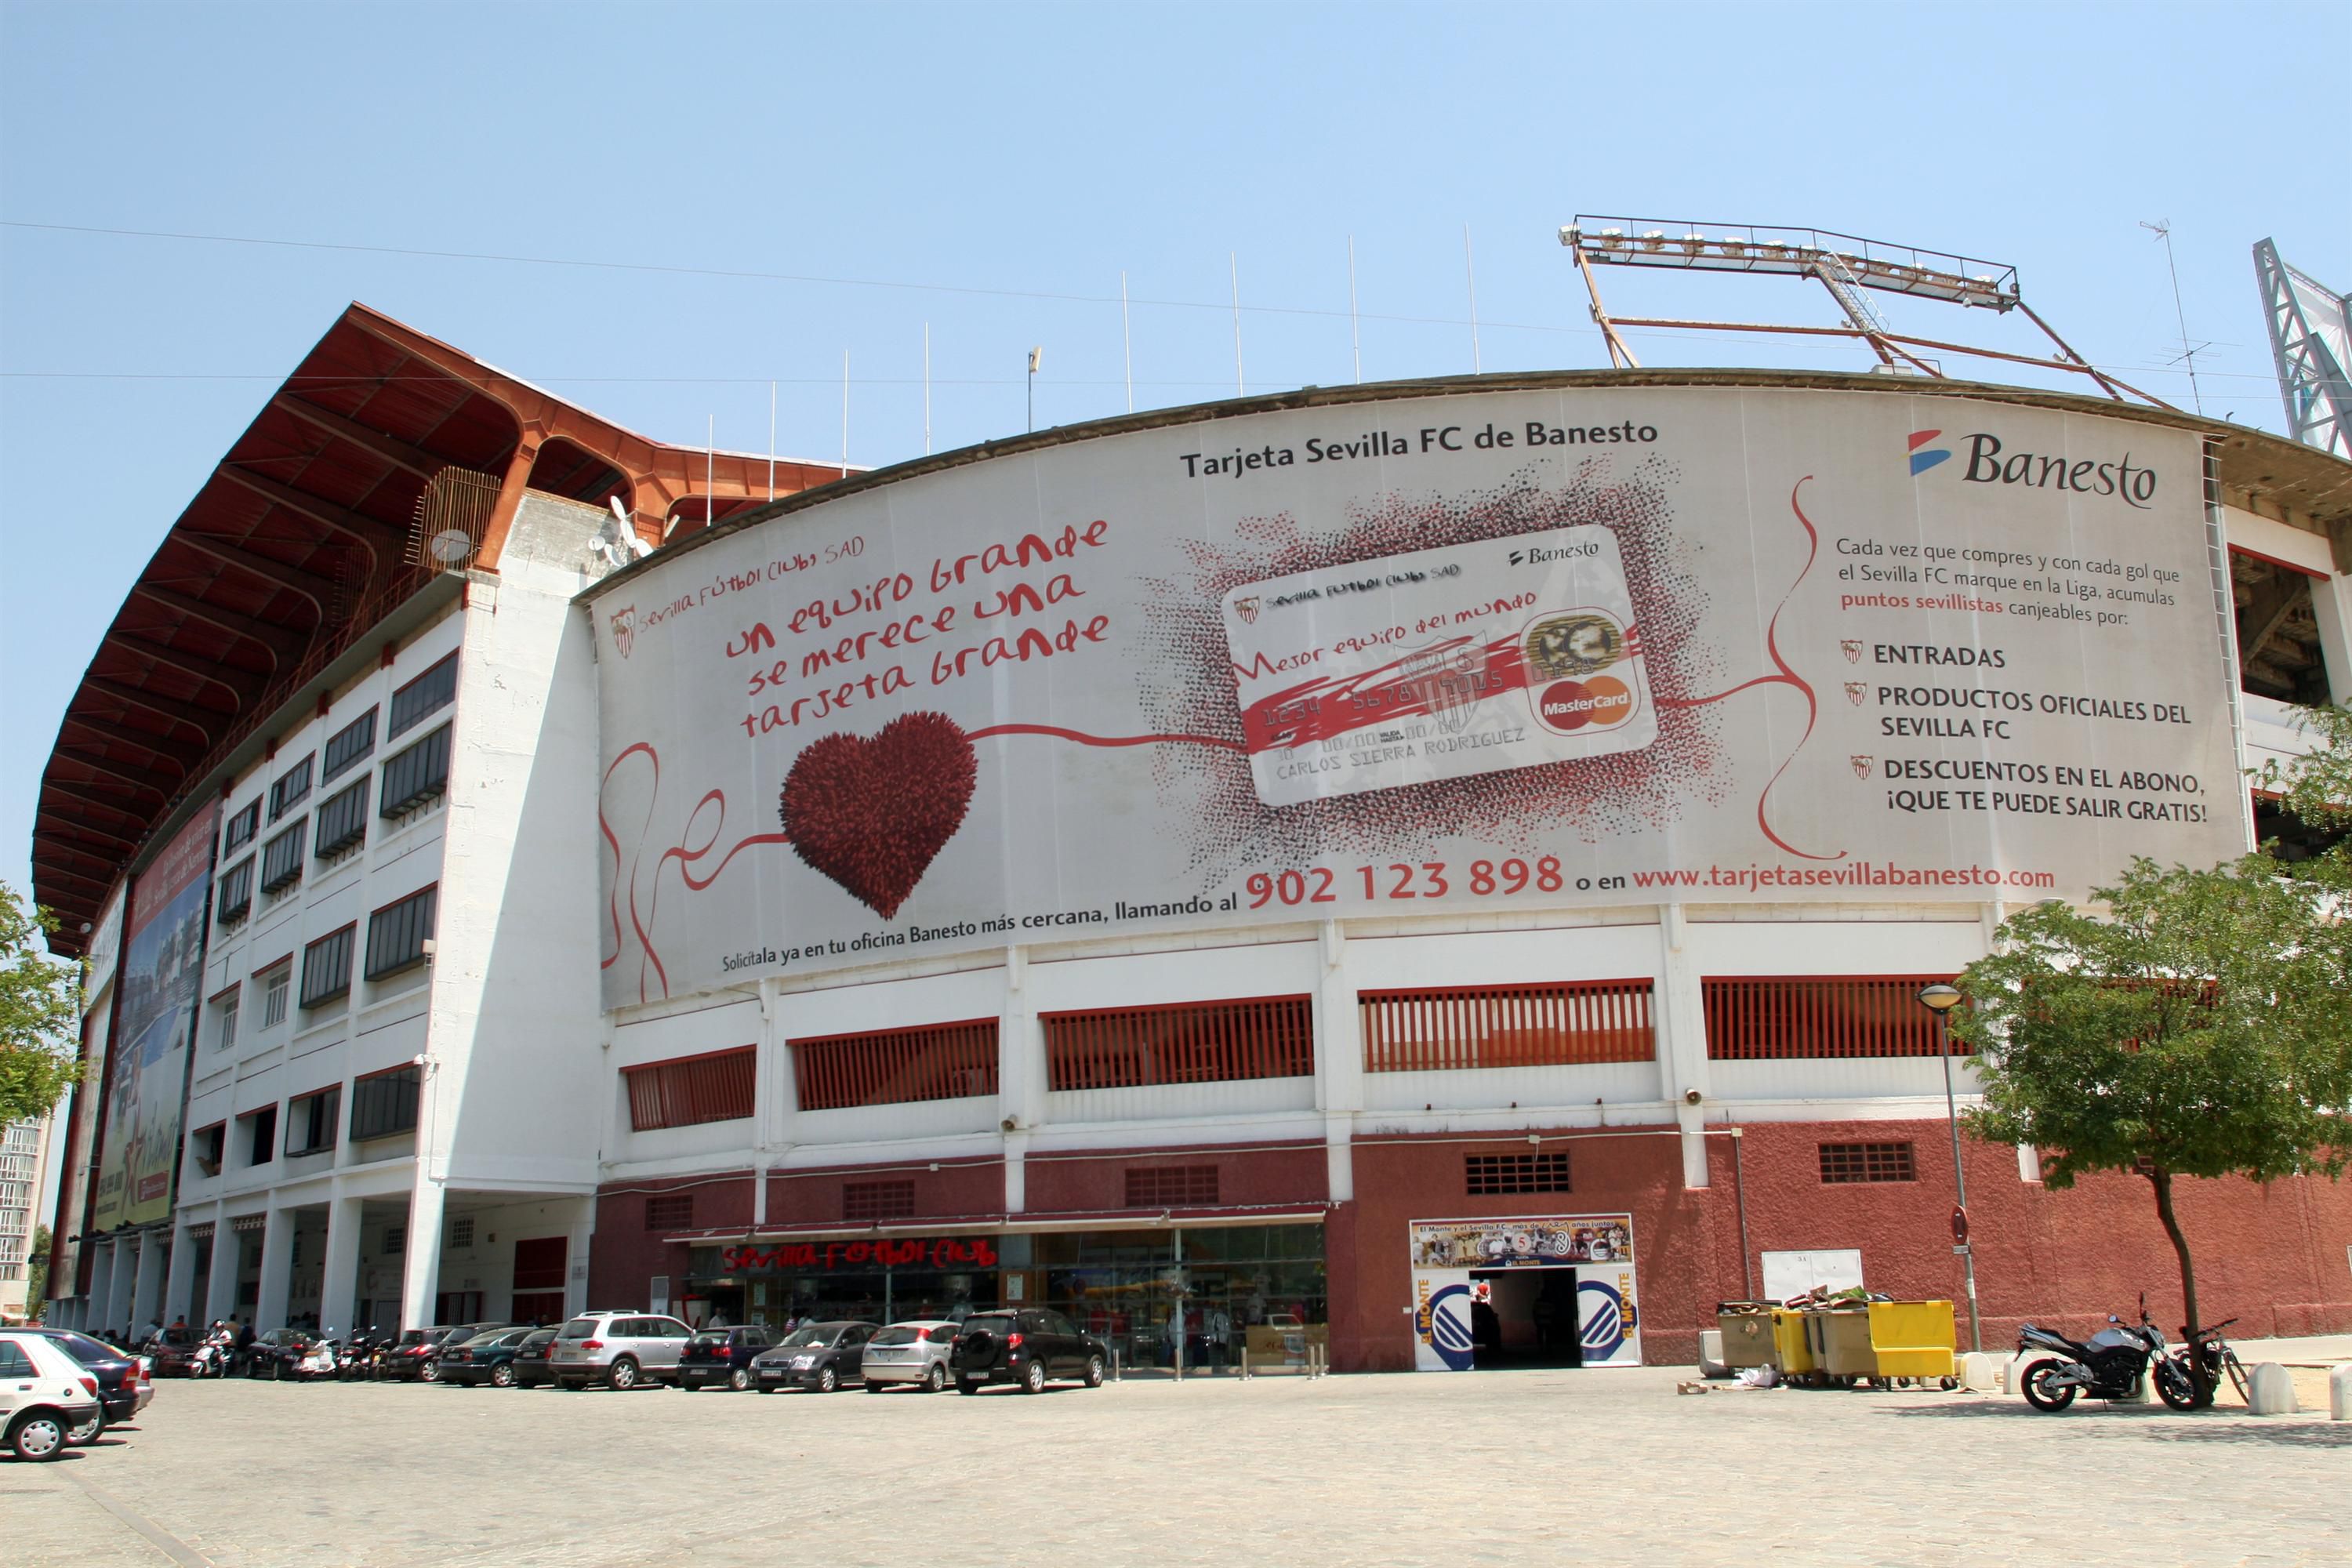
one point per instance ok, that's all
(1438, 664)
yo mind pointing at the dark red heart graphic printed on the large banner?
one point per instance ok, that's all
(874, 815)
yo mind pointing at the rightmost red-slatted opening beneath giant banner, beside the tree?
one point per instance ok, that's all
(1822, 1017)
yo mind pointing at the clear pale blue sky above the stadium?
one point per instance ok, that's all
(980, 154)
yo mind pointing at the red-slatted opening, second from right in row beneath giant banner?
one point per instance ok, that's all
(1509, 1026)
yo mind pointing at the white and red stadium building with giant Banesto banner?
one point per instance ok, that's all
(1431, 871)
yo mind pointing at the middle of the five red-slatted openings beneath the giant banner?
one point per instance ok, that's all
(1269, 1038)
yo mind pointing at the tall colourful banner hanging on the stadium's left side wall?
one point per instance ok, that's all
(147, 1073)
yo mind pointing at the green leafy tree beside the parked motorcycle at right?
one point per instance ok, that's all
(2191, 1024)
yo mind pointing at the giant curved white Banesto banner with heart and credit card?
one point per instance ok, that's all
(1426, 655)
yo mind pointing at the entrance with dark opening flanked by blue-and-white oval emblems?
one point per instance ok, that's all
(1478, 1287)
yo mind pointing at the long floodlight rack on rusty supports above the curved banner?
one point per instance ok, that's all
(1840, 264)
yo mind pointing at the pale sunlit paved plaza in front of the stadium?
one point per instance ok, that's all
(1488, 1468)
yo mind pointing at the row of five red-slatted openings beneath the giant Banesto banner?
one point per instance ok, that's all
(1274, 1038)
